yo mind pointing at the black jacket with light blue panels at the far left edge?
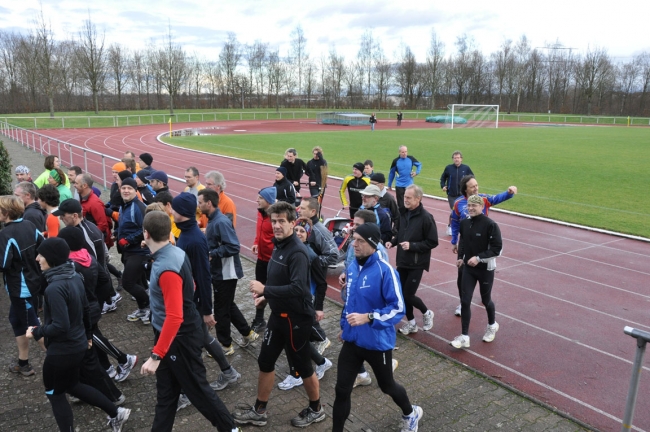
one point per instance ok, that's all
(18, 243)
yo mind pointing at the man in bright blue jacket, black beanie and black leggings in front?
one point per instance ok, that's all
(373, 305)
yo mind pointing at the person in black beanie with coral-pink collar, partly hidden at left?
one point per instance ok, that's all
(92, 372)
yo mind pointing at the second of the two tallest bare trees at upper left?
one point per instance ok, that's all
(92, 60)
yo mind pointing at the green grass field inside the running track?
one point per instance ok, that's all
(584, 175)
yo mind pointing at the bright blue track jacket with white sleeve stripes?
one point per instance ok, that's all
(374, 288)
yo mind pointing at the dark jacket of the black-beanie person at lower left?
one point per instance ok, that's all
(66, 326)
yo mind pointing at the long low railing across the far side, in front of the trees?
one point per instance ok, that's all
(150, 119)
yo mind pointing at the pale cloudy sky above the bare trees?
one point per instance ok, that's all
(201, 27)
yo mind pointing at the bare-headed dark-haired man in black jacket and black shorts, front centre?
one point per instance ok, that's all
(292, 313)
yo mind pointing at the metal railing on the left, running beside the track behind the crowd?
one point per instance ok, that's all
(93, 162)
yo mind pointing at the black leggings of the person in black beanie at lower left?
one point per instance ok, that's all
(61, 376)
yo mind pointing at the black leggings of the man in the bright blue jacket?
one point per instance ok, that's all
(351, 358)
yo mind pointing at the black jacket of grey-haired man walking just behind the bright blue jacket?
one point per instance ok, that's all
(419, 229)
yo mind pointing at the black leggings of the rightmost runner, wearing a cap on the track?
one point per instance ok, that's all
(485, 278)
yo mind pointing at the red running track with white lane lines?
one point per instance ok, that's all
(563, 295)
